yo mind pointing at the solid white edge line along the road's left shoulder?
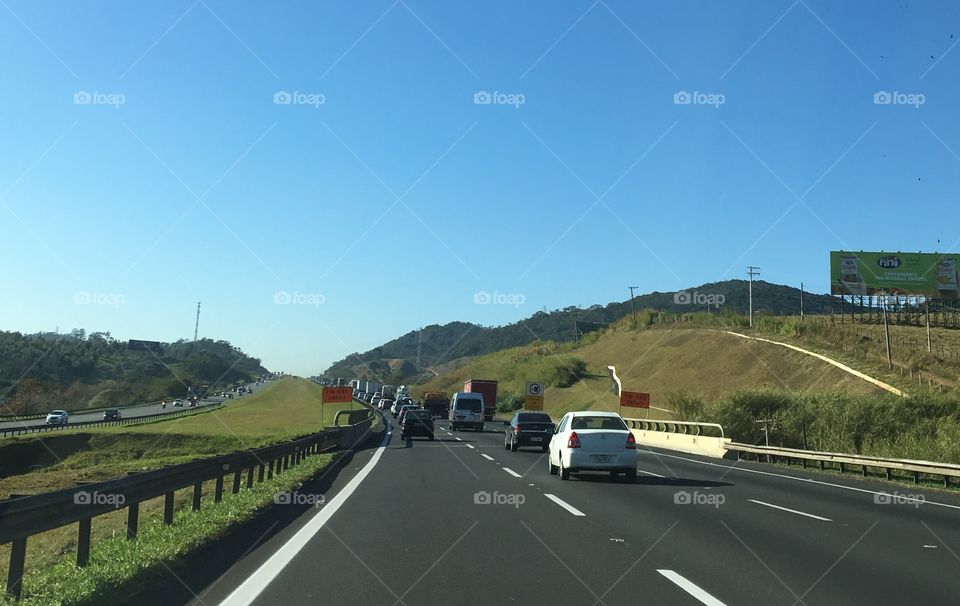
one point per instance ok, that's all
(250, 589)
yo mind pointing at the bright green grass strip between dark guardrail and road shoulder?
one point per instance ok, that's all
(119, 567)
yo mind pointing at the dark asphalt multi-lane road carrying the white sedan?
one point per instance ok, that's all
(462, 520)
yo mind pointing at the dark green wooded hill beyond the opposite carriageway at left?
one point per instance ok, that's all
(75, 371)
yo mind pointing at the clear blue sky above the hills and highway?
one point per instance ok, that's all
(148, 161)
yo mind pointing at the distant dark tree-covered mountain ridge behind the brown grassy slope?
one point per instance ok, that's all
(415, 352)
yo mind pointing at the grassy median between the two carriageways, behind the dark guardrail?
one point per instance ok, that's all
(282, 410)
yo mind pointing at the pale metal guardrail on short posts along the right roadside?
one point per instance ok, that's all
(915, 467)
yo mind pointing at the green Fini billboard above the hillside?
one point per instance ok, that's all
(931, 275)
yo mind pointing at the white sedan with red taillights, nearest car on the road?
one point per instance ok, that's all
(593, 441)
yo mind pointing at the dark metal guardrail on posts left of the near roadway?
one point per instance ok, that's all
(23, 517)
